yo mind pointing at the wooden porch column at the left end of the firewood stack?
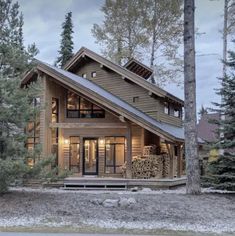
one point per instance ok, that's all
(129, 152)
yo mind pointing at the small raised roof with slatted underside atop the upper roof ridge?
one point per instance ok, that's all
(138, 68)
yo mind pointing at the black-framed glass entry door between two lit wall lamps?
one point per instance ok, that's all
(90, 156)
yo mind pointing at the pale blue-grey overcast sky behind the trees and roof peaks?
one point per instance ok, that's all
(43, 21)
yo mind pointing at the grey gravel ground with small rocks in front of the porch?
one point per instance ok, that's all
(143, 210)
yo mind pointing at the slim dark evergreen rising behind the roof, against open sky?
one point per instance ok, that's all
(66, 45)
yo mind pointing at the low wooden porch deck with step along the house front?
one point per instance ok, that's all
(121, 183)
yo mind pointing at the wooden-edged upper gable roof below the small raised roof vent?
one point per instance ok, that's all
(122, 71)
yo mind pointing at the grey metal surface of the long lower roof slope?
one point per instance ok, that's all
(174, 131)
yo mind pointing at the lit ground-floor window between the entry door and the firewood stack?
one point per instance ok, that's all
(114, 154)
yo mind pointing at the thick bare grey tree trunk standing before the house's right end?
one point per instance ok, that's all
(191, 145)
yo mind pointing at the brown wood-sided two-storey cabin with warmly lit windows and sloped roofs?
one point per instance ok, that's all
(97, 116)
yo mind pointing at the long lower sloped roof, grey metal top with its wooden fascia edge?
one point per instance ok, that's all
(111, 101)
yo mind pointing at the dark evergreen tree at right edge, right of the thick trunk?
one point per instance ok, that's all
(221, 172)
